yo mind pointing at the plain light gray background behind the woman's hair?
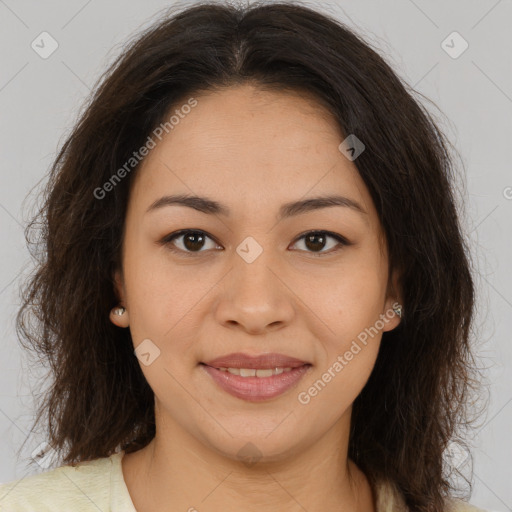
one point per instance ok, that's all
(40, 100)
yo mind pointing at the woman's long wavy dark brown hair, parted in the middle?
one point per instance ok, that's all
(416, 400)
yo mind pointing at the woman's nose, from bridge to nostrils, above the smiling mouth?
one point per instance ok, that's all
(255, 297)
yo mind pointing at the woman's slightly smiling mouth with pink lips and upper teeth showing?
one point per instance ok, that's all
(256, 378)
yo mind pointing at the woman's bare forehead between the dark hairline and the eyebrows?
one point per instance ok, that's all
(245, 145)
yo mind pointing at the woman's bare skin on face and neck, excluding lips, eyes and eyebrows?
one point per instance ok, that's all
(252, 151)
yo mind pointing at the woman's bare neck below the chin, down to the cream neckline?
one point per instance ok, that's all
(177, 469)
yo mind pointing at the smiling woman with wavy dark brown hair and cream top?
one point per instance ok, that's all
(256, 292)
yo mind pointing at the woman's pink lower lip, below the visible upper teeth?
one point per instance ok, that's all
(256, 389)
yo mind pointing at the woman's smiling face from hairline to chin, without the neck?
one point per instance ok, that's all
(247, 273)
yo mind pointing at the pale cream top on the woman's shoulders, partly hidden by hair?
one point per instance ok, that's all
(99, 486)
